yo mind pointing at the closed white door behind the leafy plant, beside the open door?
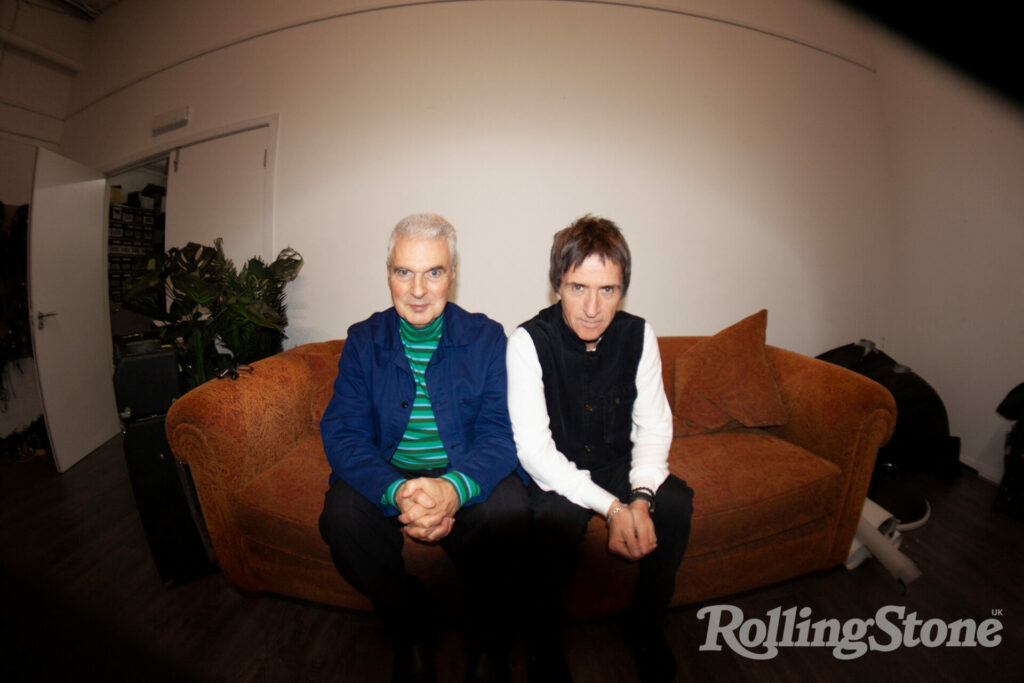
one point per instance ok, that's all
(220, 189)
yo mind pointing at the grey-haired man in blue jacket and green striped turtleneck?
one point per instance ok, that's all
(419, 442)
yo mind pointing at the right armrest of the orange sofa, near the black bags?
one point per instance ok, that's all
(840, 416)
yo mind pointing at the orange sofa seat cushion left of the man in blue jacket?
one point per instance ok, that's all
(285, 502)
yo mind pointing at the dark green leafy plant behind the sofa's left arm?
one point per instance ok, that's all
(204, 307)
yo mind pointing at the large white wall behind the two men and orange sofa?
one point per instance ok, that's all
(769, 166)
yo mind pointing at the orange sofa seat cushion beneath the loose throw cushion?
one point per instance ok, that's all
(749, 485)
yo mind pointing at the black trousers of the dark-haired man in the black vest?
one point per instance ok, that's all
(560, 527)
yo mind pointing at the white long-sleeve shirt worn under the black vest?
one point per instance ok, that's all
(652, 432)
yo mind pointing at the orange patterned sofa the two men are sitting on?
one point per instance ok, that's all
(771, 503)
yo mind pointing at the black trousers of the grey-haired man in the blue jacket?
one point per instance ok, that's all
(487, 545)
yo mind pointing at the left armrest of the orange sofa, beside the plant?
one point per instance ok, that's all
(230, 432)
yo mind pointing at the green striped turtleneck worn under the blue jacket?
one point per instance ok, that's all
(421, 447)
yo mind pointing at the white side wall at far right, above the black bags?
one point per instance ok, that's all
(958, 155)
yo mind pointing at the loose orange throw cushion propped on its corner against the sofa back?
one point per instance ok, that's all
(726, 381)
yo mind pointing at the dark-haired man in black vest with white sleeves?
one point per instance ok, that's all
(593, 429)
